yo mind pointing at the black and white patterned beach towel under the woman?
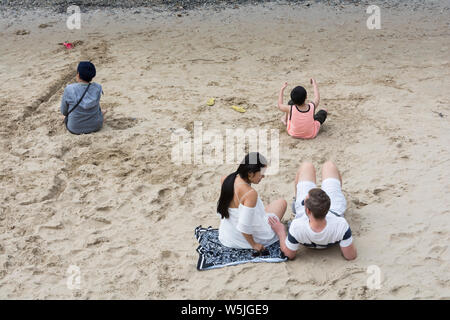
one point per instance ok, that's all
(212, 254)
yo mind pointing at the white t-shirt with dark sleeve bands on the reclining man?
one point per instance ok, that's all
(337, 230)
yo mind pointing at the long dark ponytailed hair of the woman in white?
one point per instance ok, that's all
(252, 163)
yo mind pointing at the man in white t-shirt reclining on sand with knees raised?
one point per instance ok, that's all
(319, 221)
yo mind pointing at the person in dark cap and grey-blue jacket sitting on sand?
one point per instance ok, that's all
(81, 102)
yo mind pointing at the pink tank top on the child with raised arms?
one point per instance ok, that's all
(301, 124)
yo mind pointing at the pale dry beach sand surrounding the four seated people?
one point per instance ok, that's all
(114, 204)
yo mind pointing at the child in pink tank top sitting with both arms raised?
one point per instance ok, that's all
(300, 118)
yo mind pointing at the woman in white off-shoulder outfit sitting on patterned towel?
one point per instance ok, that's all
(244, 222)
